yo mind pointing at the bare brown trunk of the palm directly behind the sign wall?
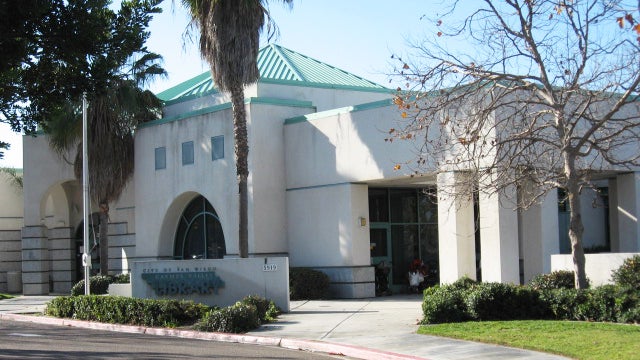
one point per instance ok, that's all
(242, 168)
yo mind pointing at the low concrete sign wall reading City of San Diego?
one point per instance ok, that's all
(219, 282)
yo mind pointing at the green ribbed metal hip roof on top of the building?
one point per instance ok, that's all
(281, 65)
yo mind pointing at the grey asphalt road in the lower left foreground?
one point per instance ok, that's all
(20, 340)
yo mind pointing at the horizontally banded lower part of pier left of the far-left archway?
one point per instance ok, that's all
(35, 261)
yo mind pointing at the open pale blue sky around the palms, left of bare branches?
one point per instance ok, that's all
(358, 36)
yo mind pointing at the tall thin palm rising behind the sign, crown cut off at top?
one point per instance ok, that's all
(229, 42)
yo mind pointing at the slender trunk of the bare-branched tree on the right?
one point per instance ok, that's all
(575, 224)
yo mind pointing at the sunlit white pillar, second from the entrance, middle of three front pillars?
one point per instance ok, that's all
(499, 259)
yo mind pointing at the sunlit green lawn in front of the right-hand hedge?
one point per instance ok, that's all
(578, 340)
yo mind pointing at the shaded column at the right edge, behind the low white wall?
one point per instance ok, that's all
(628, 196)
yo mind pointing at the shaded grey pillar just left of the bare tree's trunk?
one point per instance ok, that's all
(538, 231)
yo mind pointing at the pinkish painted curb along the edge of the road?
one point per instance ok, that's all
(292, 344)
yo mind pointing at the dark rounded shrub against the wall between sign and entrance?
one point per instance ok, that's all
(308, 284)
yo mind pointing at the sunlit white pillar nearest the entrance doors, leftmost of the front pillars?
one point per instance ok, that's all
(456, 240)
